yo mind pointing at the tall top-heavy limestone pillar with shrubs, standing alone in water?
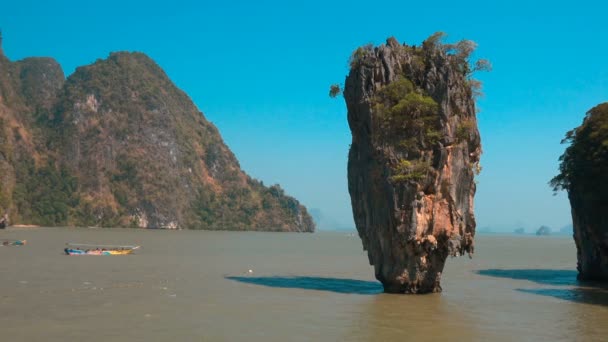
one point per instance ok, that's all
(415, 150)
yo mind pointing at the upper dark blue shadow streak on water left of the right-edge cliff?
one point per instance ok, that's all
(541, 276)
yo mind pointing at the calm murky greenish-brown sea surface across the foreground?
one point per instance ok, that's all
(196, 286)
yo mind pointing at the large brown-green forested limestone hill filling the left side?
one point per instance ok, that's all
(118, 145)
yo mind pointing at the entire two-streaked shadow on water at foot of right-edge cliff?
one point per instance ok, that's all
(573, 290)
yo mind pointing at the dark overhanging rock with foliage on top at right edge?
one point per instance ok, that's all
(584, 174)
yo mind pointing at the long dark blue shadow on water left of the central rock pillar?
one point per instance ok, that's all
(337, 285)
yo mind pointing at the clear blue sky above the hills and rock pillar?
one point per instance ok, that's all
(260, 70)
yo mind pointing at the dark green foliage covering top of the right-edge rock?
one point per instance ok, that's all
(584, 164)
